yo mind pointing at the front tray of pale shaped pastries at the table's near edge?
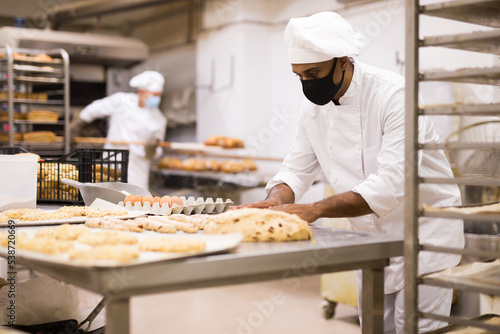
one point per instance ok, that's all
(79, 245)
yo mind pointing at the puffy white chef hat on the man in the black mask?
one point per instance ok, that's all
(321, 37)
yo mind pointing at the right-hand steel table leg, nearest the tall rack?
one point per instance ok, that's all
(373, 301)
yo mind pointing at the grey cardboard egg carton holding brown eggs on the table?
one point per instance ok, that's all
(190, 206)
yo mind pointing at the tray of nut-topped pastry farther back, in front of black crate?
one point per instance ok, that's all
(66, 214)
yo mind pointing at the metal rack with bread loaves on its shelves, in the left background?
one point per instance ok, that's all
(31, 77)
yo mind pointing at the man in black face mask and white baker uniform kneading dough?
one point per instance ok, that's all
(351, 127)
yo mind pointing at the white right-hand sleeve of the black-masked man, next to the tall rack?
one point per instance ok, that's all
(384, 190)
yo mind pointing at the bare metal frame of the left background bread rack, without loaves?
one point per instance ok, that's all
(61, 73)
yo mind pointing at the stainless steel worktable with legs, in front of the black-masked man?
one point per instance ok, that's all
(330, 251)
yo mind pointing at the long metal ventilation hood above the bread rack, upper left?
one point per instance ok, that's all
(81, 47)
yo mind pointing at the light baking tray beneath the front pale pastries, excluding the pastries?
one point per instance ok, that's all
(214, 244)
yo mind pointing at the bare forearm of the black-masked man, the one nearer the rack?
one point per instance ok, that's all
(349, 204)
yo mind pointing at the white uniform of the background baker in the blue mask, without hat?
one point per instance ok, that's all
(129, 122)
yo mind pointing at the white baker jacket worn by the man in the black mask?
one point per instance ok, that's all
(359, 146)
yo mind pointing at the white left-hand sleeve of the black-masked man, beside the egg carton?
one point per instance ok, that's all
(300, 166)
